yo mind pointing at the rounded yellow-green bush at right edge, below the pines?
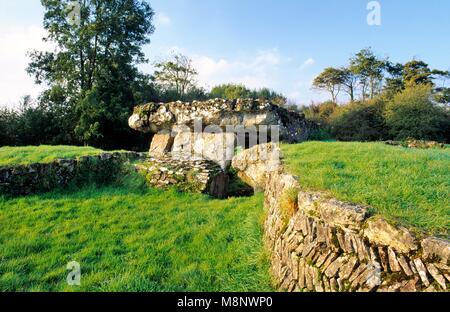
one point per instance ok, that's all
(412, 114)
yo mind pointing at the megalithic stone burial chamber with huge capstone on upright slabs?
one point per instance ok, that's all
(213, 132)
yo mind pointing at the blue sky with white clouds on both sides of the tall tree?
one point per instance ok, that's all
(280, 44)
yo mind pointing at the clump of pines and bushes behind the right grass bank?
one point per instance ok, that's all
(386, 101)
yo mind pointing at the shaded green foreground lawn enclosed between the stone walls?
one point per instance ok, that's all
(129, 238)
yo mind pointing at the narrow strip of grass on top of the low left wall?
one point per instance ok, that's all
(42, 154)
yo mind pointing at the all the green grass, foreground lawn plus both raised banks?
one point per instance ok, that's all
(127, 237)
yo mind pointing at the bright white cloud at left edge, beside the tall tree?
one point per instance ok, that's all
(16, 42)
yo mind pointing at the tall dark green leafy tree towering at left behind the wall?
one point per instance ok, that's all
(95, 57)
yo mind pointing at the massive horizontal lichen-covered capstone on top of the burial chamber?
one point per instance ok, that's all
(155, 117)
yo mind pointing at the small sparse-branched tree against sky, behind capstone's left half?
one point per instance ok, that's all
(176, 74)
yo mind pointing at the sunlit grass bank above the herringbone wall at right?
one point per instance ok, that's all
(409, 186)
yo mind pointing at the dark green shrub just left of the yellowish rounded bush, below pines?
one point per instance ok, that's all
(359, 121)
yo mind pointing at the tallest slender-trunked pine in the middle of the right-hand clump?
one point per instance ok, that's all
(370, 72)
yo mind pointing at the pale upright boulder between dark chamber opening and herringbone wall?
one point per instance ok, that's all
(255, 163)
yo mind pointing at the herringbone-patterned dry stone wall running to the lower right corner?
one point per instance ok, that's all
(328, 245)
